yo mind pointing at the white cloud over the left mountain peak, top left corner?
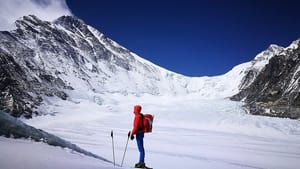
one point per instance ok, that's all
(11, 10)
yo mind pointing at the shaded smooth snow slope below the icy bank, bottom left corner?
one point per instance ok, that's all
(26, 154)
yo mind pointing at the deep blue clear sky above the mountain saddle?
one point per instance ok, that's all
(194, 37)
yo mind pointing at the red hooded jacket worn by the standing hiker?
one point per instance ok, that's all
(138, 121)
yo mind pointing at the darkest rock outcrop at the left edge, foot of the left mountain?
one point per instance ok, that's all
(13, 88)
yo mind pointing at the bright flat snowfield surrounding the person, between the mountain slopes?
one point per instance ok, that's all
(187, 133)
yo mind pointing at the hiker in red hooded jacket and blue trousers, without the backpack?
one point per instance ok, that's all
(139, 132)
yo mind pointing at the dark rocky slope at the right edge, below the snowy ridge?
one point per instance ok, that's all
(275, 90)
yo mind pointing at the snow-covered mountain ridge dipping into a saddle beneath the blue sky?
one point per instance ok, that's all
(67, 58)
